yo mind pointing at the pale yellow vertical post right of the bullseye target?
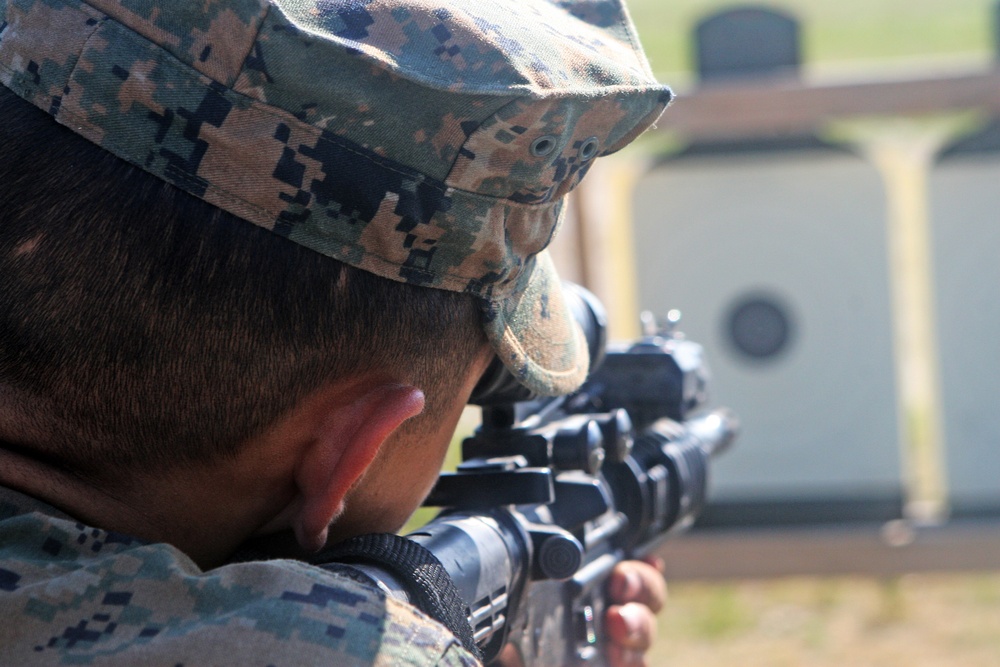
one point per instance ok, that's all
(903, 150)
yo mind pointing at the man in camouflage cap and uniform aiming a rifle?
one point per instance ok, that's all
(175, 381)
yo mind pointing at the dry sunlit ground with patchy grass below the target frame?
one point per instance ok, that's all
(910, 621)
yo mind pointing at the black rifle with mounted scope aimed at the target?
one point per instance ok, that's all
(554, 492)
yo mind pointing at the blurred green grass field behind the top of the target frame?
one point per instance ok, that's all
(835, 32)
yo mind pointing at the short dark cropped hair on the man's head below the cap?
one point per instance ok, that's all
(160, 329)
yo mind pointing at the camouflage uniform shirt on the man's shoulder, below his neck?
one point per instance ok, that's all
(75, 595)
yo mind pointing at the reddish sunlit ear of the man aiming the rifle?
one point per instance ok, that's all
(346, 438)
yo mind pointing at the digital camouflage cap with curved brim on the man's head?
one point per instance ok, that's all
(426, 142)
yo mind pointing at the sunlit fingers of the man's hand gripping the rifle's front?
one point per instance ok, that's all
(637, 592)
